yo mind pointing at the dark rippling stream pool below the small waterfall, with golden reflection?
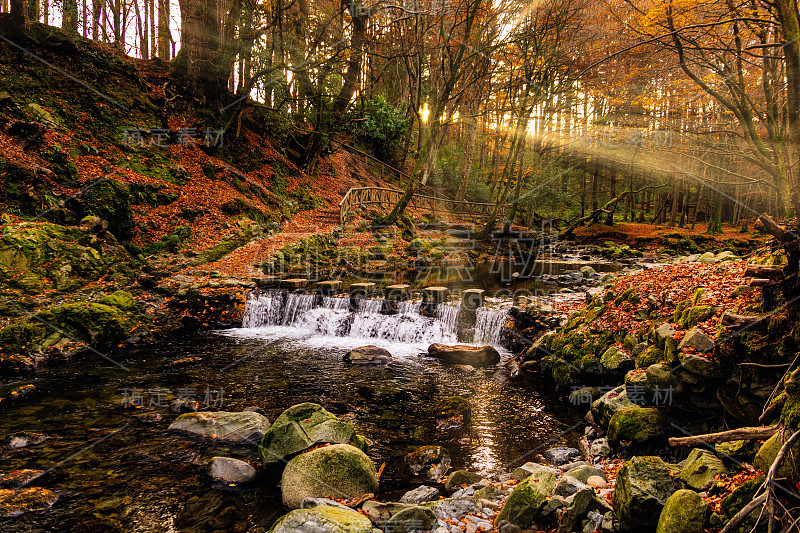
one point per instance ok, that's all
(120, 469)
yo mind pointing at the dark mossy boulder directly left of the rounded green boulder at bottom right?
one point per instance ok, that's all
(643, 485)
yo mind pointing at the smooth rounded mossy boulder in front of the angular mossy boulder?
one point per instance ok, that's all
(336, 471)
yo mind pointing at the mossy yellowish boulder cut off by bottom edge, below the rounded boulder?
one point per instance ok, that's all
(323, 519)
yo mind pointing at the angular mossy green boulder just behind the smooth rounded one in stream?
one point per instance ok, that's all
(299, 428)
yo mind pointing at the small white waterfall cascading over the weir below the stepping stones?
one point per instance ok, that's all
(391, 320)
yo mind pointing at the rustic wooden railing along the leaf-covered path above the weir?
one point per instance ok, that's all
(386, 198)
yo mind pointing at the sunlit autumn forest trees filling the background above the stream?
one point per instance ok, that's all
(678, 111)
